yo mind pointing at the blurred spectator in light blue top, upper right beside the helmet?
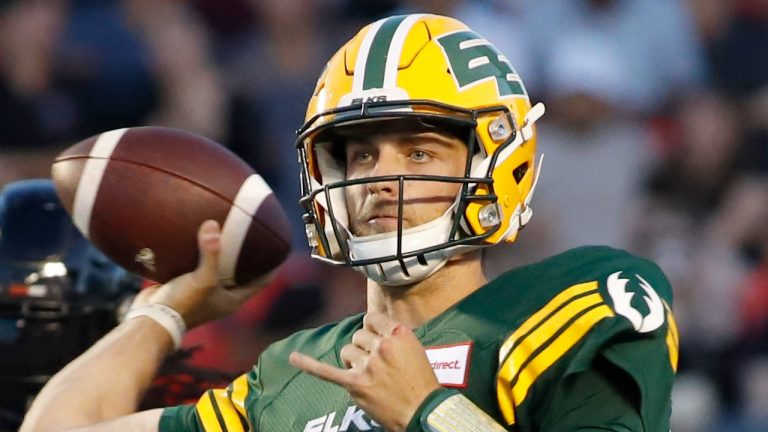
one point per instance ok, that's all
(650, 47)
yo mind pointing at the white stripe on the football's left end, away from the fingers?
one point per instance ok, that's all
(90, 181)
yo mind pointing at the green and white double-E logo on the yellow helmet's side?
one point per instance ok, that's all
(473, 60)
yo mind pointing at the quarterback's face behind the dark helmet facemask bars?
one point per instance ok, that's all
(373, 207)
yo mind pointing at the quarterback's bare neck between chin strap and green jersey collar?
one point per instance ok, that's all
(416, 304)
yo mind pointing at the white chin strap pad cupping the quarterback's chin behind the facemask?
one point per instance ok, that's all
(392, 273)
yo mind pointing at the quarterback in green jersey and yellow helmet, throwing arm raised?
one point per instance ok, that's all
(419, 150)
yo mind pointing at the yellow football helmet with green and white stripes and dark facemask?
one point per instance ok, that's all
(436, 70)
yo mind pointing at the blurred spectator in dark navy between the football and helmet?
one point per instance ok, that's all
(271, 73)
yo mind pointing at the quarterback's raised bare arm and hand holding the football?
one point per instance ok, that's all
(99, 389)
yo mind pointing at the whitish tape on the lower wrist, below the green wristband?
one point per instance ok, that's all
(457, 413)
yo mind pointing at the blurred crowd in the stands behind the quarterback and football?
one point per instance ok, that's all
(656, 141)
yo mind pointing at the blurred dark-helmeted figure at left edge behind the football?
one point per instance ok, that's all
(58, 294)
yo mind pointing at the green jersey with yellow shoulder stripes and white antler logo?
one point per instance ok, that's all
(585, 339)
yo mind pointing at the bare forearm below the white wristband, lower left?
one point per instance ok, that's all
(105, 382)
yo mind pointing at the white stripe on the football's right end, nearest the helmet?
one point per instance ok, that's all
(249, 198)
